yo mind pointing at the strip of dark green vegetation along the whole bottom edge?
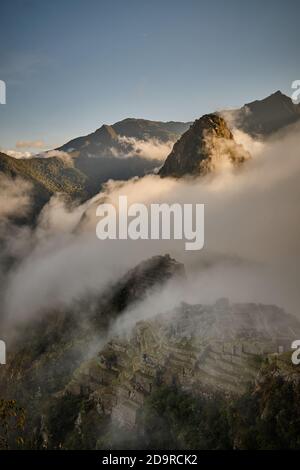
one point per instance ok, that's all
(265, 417)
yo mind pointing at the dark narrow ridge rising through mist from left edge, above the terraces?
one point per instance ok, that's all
(49, 348)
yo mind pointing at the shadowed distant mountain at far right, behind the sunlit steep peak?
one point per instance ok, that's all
(263, 117)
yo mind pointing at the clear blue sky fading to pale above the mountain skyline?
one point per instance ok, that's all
(72, 65)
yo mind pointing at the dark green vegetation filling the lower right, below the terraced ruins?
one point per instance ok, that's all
(267, 417)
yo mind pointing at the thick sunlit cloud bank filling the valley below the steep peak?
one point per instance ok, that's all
(252, 238)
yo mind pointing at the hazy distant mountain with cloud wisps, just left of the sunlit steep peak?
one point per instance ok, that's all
(116, 152)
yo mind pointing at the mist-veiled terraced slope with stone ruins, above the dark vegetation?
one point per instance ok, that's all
(200, 348)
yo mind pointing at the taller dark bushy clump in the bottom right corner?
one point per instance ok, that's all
(269, 417)
